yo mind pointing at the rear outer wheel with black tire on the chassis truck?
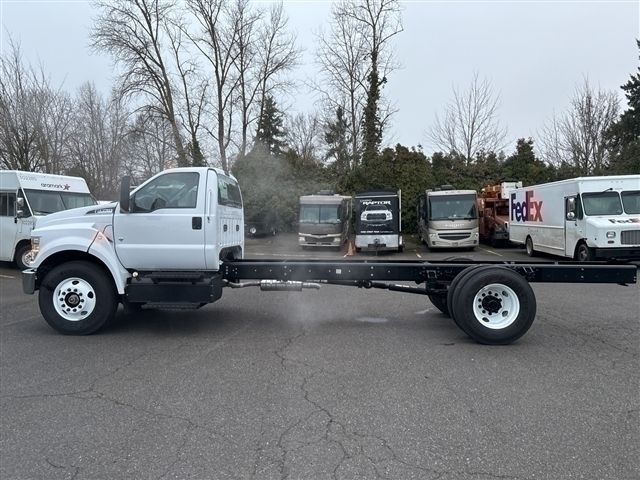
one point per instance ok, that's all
(509, 301)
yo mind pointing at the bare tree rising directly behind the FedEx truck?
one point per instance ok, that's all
(576, 139)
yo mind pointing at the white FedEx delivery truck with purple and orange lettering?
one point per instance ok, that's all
(585, 218)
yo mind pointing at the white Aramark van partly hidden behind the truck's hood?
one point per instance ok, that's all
(25, 196)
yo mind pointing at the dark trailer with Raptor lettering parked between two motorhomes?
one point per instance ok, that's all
(378, 221)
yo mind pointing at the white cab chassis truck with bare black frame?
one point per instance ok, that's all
(177, 241)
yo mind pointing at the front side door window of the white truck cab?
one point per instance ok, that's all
(171, 190)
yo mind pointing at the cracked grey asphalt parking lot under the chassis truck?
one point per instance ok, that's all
(339, 383)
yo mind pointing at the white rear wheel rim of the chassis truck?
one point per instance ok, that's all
(496, 306)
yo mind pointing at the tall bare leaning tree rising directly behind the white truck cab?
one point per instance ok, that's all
(132, 31)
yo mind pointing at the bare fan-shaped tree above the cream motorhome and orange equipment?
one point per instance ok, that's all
(470, 124)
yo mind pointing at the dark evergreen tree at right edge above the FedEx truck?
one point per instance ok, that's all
(624, 135)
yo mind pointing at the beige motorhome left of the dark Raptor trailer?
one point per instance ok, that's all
(324, 220)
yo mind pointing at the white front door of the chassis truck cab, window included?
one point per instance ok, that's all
(164, 228)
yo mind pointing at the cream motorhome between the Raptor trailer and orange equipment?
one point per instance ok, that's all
(448, 218)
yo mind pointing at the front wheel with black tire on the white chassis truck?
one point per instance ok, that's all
(69, 288)
